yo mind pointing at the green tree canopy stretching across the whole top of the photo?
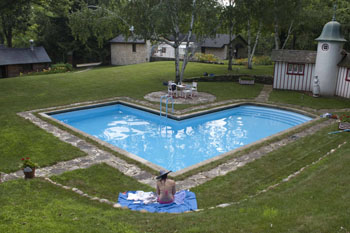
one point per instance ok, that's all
(84, 27)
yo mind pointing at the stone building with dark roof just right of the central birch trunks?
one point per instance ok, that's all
(218, 46)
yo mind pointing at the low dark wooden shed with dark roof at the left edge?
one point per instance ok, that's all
(14, 61)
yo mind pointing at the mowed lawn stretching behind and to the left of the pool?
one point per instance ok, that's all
(20, 138)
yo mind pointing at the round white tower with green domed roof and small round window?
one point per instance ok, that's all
(330, 45)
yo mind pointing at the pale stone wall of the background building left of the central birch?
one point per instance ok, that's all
(122, 53)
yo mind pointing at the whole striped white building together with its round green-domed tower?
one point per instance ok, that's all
(297, 69)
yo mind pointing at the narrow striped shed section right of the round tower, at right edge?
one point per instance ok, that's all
(343, 82)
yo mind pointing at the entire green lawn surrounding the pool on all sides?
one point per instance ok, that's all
(314, 201)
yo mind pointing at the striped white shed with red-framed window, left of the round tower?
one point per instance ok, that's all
(294, 69)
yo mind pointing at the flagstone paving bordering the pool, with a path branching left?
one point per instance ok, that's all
(96, 155)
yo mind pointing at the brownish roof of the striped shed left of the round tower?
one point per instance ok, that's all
(296, 56)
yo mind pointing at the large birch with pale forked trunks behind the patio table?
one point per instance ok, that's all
(169, 21)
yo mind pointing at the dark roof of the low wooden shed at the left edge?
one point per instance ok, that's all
(12, 56)
